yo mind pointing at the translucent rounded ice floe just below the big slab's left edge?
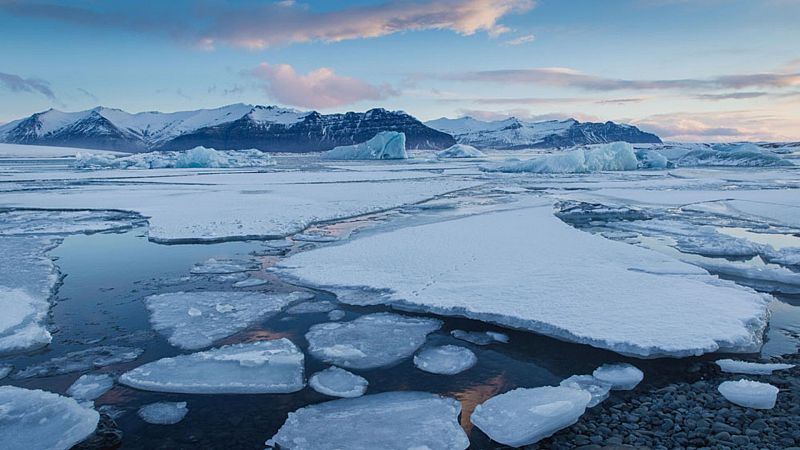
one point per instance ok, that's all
(374, 340)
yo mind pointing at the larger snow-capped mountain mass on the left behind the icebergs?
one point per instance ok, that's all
(231, 127)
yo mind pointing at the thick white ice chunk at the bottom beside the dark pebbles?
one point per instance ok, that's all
(524, 416)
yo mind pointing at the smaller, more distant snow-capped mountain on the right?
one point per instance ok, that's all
(513, 133)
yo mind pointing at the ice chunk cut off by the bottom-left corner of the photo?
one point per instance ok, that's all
(38, 419)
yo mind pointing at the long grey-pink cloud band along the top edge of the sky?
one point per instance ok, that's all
(273, 24)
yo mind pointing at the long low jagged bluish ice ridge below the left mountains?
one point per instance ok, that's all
(198, 157)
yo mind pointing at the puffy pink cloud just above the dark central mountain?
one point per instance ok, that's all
(320, 88)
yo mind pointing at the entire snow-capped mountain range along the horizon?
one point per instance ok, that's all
(276, 129)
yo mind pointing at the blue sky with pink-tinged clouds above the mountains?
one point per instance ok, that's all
(688, 70)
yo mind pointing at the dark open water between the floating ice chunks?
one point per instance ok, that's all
(107, 275)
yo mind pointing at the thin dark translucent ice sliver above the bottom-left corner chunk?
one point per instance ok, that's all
(94, 357)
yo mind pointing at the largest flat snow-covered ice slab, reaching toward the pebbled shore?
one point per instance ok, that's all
(558, 281)
